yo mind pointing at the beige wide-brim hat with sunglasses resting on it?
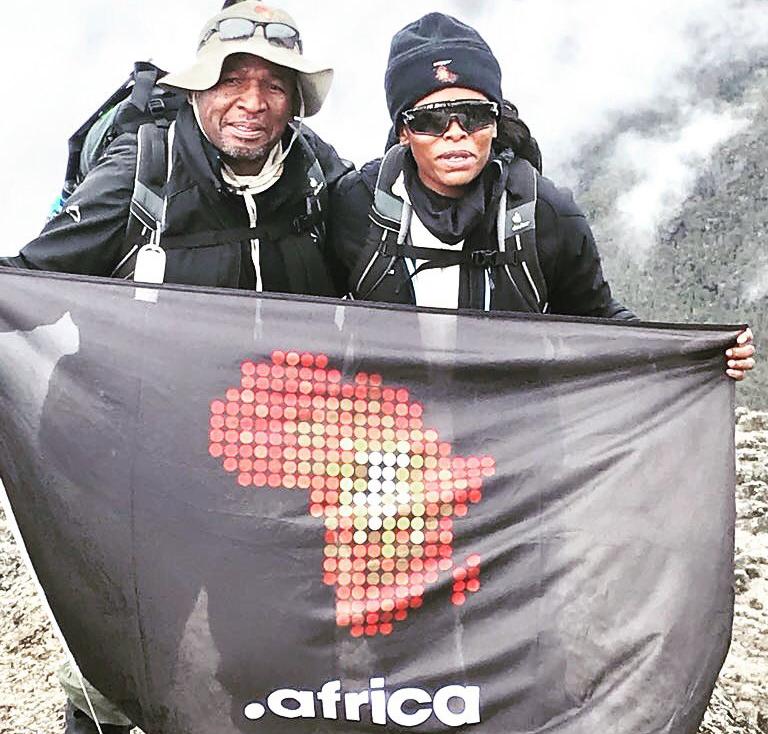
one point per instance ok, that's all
(314, 80)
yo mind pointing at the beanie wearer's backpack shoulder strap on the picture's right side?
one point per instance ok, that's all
(516, 231)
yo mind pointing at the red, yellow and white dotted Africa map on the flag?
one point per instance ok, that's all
(387, 489)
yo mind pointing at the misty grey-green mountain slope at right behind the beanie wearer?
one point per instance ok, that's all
(710, 261)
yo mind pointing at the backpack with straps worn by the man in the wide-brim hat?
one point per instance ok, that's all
(141, 107)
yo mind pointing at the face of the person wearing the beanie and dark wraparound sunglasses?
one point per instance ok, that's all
(447, 163)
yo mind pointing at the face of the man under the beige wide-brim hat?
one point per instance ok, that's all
(246, 113)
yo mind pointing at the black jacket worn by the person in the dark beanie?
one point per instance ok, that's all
(566, 249)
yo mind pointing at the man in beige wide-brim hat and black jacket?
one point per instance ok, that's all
(242, 194)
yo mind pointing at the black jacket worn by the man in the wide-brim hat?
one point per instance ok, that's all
(89, 237)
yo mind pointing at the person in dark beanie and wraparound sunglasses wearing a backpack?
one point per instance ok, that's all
(452, 217)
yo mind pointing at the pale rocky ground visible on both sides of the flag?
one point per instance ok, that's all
(31, 701)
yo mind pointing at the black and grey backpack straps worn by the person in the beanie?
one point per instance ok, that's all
(514, 258)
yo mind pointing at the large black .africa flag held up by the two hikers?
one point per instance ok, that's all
(293, 515)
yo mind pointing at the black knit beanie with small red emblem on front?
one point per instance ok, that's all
(438, 51)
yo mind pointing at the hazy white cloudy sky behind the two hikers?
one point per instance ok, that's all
(573, 67)
